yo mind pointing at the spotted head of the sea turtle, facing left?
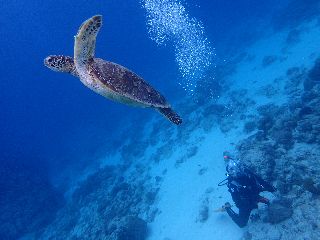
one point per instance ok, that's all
(60, 63)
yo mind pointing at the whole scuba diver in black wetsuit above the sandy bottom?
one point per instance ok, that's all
(245, 187)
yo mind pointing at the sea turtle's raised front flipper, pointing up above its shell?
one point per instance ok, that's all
(85, 40)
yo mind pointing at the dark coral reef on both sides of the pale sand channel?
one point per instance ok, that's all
(281, 145)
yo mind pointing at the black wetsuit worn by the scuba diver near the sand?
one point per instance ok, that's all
(245, 189)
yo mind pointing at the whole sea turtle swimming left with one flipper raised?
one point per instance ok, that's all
(108, 79)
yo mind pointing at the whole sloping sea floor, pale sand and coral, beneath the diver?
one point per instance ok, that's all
(166, 176)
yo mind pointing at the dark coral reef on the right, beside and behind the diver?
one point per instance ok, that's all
(285, 149)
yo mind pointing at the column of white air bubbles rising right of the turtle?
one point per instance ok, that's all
(169, 22)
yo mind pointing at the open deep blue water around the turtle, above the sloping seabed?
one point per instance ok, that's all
(51, 122)
